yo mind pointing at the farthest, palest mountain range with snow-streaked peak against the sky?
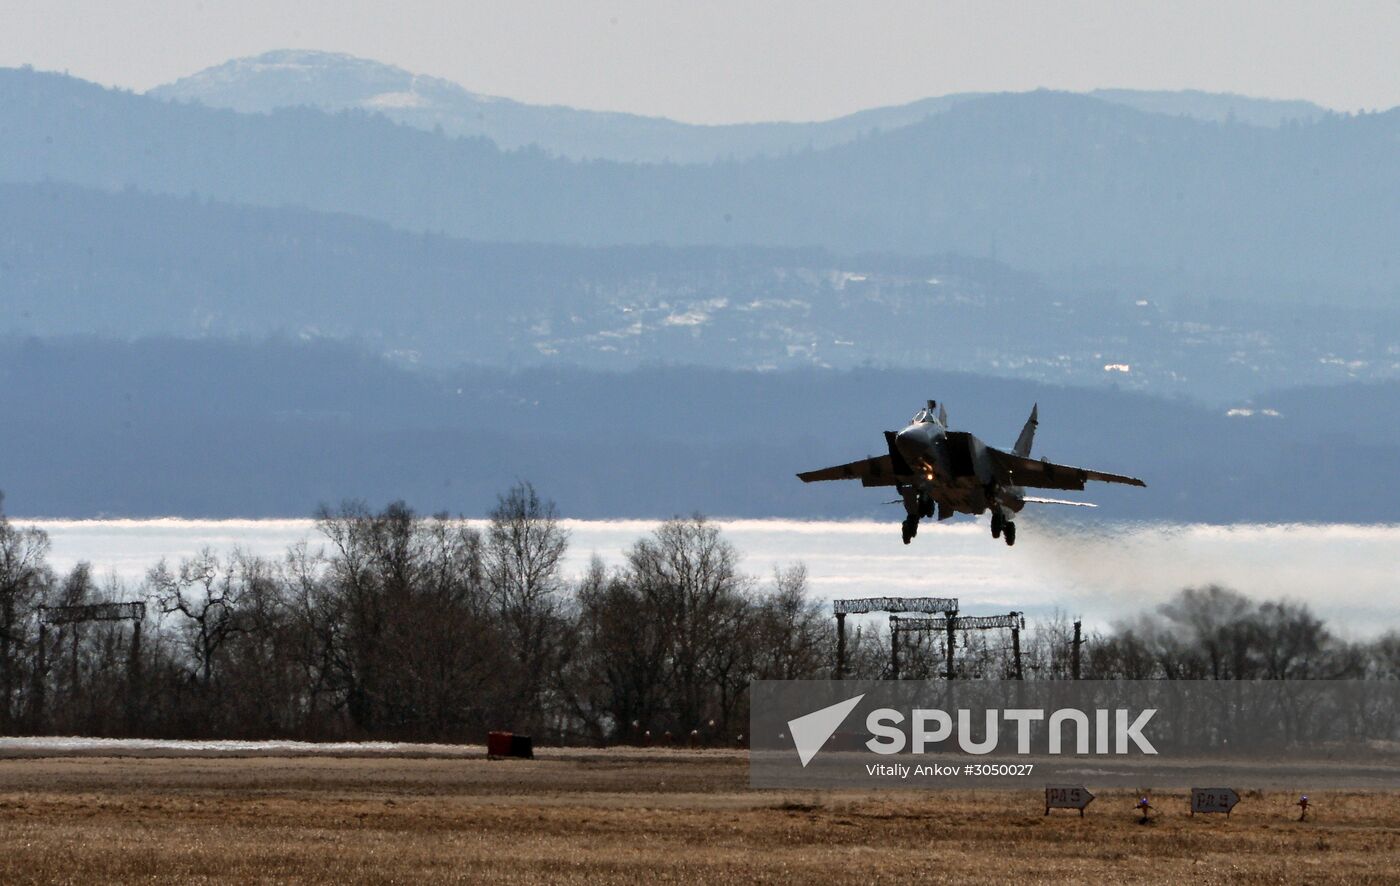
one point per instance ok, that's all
(334, 82)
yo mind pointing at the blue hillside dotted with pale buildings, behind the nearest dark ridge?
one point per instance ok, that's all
(87, 262)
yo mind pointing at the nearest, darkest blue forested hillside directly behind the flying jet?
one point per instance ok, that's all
(274, 429)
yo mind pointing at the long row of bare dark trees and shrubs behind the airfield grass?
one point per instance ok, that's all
(423, 628)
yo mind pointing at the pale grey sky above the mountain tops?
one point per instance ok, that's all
(724, 61)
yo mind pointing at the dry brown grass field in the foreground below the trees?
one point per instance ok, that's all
(629, 817)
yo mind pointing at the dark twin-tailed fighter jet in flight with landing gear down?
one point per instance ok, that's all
(944, 472)
